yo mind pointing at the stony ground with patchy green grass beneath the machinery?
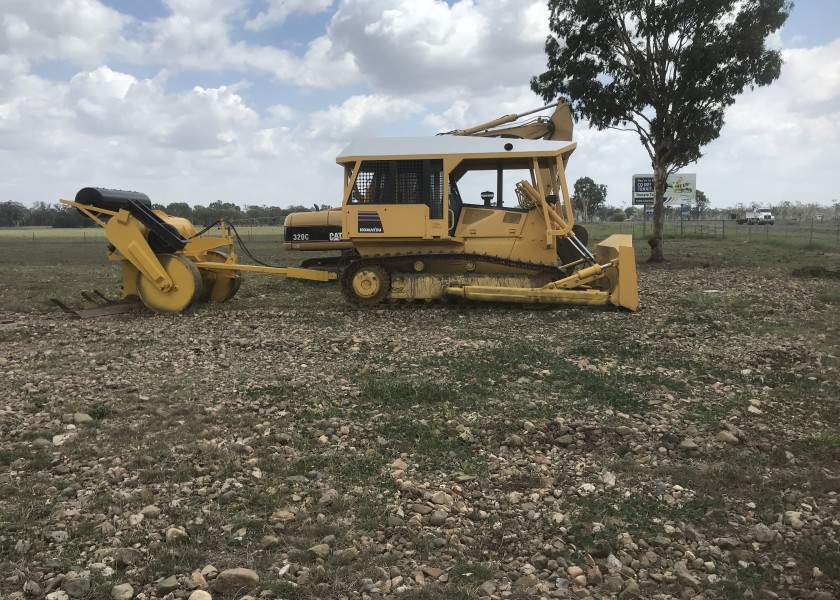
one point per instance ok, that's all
(428, 452)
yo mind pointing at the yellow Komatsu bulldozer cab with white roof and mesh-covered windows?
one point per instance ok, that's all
(402, 188)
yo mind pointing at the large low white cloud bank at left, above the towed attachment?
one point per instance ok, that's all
(109, 128)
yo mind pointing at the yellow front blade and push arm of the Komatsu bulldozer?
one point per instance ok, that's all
(611, 280)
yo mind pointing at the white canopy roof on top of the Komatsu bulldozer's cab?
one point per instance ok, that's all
(450, 144)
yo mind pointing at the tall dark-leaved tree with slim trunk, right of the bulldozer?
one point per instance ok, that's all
(664, 69)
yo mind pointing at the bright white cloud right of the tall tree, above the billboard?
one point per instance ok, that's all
(781, 142)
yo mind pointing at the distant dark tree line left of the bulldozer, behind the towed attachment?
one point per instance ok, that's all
(41, 214)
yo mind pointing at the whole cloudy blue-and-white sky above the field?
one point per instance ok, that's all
(250, 101)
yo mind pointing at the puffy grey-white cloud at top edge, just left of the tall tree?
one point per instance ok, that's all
(428, 48)
